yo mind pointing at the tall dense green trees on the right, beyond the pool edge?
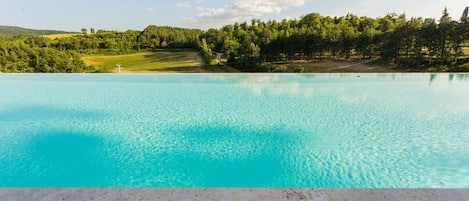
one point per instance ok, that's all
(394, 40)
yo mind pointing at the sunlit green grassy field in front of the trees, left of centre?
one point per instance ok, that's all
(149, 62)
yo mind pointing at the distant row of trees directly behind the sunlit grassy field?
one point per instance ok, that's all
(114, 42)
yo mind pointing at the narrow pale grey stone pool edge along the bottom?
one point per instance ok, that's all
(195, 194)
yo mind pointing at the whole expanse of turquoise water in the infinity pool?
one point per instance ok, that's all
(270, 130)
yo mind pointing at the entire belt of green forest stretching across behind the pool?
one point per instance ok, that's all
(417, 44)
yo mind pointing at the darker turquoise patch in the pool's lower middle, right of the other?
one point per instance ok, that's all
(225, 156)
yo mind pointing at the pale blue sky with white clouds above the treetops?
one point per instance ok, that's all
(72, 15)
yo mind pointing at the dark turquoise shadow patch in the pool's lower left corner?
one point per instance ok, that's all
(61, 159)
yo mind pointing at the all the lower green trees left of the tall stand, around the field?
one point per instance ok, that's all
(28, 53)
